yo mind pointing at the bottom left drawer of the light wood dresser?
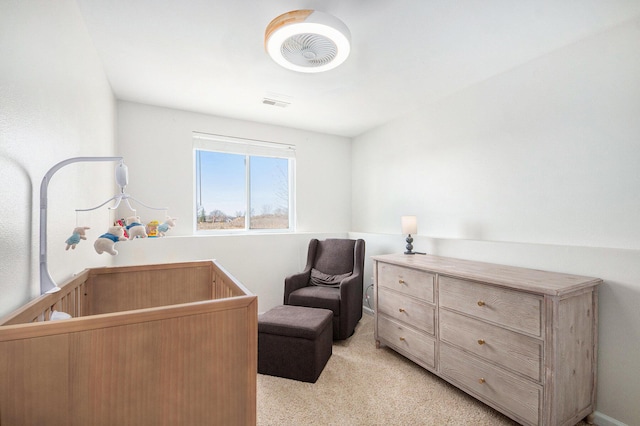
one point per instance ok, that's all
(407, 341)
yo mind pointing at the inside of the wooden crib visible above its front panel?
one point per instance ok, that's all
(115, 289)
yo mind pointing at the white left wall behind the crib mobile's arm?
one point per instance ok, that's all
(55, 103)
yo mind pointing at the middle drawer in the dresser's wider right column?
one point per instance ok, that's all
(520, 353)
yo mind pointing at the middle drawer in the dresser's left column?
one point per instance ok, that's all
(411, 311)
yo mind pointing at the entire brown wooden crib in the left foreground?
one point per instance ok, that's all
(172, 344)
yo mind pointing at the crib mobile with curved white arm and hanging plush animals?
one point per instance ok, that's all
(122, 229)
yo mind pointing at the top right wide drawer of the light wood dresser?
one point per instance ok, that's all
(512, 309)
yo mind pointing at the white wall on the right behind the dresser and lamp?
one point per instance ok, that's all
(536, 167)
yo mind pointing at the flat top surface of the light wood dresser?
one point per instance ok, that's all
(532, 280)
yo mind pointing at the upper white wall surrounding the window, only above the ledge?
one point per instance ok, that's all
(157, 146)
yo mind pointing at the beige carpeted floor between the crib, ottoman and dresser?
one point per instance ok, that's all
(362, 385)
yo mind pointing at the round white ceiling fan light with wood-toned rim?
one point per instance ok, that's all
(307, 41)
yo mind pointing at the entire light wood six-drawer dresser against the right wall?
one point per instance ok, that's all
(522, 341)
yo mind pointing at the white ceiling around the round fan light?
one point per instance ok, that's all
(208, 55)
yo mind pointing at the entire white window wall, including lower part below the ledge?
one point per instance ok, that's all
(157, 146)
